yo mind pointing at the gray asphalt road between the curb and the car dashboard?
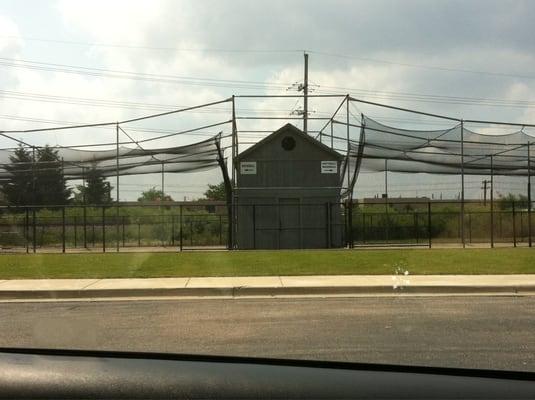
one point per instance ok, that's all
(478, 332)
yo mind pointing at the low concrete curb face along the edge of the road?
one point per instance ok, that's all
(244, 291)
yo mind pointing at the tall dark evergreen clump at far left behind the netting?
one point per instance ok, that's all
(40, 182)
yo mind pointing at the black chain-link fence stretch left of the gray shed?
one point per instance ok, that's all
(108, 228)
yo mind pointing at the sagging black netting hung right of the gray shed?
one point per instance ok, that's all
(383, 147)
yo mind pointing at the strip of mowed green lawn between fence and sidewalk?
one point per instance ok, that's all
(243, 263)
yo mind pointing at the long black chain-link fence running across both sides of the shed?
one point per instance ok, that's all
(187, 226)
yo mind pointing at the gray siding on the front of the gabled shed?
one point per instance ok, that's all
(285, 204)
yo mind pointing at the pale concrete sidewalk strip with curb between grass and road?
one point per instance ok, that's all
(27, 289)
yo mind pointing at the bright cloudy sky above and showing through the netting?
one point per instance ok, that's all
(91, 61)
